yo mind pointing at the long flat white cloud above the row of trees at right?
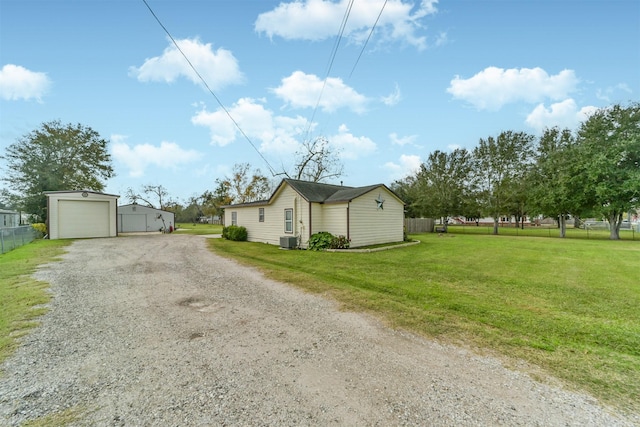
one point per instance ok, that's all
(494, 87)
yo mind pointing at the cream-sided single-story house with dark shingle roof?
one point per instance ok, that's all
(298, 209)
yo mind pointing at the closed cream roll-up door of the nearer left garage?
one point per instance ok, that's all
(86, 218)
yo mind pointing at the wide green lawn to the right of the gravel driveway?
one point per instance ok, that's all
(568, 306)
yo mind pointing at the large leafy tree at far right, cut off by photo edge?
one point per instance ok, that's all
(608, 156)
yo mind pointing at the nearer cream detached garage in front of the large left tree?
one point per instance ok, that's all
(81, 214)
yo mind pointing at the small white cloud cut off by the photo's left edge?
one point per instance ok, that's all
(17, 82)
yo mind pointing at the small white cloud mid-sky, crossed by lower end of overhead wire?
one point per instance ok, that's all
(301, 90)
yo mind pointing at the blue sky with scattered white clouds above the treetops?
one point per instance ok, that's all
(434, 75)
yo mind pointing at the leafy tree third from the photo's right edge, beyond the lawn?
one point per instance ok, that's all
(499, 167)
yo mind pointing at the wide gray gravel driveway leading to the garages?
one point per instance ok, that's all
(156, 330)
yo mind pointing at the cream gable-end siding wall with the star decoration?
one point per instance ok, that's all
(370, 225)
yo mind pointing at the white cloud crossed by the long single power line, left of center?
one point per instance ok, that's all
(277, 134)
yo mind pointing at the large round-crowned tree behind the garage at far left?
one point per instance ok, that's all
(52, 158)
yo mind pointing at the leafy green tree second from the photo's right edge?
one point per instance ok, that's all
(554, 190)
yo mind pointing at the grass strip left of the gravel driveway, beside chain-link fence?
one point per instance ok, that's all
(21, 297)
